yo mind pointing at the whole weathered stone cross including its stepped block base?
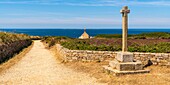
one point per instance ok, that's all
(123, 62)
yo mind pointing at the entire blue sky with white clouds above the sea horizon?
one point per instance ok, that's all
(83, 13)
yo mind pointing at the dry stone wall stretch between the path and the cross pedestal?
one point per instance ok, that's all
(83, 55)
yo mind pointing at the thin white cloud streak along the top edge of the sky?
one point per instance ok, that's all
(90, 2)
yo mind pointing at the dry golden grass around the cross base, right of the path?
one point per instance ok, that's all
(159, 75)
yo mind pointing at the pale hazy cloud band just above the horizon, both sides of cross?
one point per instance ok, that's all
(83, 21)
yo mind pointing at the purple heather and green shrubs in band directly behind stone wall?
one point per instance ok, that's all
(134, 45)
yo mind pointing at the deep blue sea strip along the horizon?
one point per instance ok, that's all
(75, 33)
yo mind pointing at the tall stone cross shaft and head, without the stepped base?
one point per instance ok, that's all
(124, 13)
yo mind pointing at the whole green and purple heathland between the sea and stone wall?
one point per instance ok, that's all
(153, 42)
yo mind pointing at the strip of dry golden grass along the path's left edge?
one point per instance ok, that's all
(15, 59)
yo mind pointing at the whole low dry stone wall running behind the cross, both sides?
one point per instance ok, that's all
(86, 55)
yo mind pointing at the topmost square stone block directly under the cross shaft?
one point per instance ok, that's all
(124, 57)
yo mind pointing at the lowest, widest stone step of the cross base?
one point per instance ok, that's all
(117, 72)
